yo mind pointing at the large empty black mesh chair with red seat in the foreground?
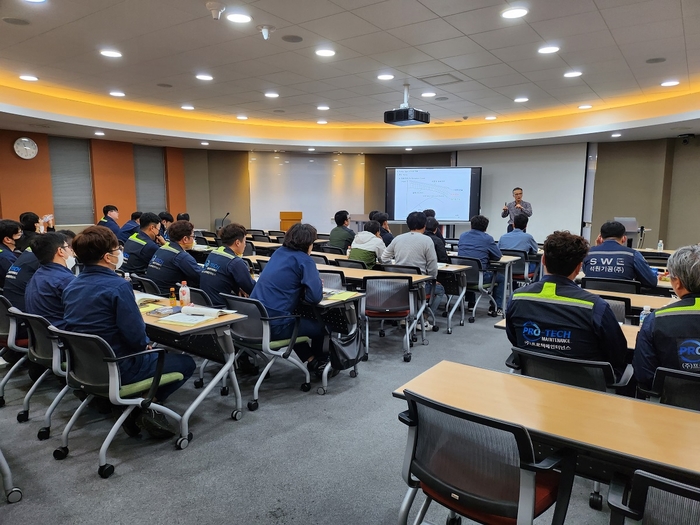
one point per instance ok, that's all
(480, 468)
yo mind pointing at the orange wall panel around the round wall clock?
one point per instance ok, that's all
(25, 185)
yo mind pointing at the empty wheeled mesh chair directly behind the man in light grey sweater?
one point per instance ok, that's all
(388, 299)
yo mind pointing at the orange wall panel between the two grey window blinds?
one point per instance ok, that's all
(113, 180)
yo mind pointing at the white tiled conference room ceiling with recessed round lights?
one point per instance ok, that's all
(475, 61)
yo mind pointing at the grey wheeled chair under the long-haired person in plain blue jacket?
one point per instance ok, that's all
(253, 337)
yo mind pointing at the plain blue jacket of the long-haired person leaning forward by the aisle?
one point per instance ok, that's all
(289, 276)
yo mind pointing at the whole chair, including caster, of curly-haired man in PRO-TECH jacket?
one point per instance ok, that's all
(594, 375)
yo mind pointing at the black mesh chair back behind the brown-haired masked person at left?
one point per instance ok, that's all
(85, 355)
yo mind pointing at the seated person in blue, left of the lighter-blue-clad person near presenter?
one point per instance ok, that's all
(478, 244)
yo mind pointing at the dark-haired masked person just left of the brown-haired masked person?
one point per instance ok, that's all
(45, 290)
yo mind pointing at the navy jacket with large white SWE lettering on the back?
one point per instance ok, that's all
(614, 261)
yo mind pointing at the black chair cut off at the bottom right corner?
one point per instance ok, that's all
(653, 499)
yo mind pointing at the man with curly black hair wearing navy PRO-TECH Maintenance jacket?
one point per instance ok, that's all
(556, 317)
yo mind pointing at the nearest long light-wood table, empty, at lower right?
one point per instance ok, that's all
(610, 433)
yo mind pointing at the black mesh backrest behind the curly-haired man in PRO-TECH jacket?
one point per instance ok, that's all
(594, 375)
